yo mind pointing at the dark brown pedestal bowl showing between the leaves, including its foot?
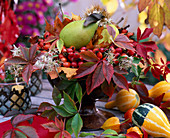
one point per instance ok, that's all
(93, 118)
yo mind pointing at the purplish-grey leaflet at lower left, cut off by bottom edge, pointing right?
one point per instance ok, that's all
(29, 131)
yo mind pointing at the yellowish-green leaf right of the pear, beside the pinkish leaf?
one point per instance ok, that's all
(106, 37)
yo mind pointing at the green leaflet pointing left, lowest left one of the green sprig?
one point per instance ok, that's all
(62, 111)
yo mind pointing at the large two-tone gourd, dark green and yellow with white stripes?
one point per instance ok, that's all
(152, 119)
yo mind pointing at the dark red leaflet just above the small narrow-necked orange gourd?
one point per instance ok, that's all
(120, 81)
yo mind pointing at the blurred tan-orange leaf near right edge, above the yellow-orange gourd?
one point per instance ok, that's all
(158, 55)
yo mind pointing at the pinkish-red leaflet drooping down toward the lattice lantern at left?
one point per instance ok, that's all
(27, 72)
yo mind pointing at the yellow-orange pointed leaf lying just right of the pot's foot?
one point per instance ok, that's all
(112, 123)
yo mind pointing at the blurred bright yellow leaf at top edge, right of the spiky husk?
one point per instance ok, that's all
(111, 5)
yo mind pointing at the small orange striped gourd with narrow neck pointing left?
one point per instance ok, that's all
(125, 100)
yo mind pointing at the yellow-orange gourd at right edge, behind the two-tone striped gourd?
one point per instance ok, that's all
(160, 88)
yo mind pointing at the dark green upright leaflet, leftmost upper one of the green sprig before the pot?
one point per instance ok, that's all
(56, 95)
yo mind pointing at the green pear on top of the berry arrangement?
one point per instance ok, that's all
(75, 34)
